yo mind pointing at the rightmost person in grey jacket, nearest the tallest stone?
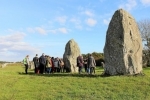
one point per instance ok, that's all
(91, 64)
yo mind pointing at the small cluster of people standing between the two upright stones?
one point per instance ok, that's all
(88, 64)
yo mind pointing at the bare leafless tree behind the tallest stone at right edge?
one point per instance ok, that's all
(144, 27)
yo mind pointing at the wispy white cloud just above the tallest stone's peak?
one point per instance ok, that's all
(129, 5)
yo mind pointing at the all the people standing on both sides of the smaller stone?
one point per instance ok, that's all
(46, 64)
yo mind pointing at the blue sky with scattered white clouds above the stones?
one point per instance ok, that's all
(45, 26)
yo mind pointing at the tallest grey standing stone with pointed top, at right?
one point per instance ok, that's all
(123, 46)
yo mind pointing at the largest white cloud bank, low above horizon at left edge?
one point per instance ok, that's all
(13, 48)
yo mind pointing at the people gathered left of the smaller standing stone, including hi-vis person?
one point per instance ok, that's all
(44, 64)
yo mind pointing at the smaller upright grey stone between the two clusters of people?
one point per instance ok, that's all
(72, 51)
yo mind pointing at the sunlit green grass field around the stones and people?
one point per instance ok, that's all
(15, 85)
